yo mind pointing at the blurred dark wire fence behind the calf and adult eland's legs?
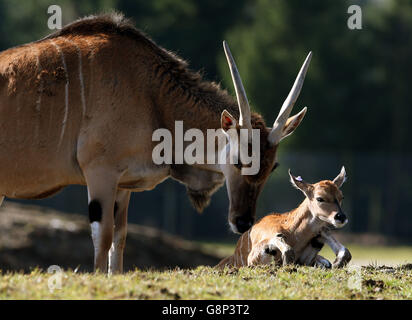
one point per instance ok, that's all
(378, 197)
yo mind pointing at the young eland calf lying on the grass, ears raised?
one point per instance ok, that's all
(297, 236)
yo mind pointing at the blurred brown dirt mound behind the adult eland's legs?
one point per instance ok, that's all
(32, 237)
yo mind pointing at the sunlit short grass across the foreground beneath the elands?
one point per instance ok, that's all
(370, 281)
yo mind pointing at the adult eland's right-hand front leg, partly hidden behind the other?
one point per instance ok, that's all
(120, 232)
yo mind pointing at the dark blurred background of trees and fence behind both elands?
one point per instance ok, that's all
(358, 92)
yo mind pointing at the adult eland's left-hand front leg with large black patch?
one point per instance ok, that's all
(102, 189)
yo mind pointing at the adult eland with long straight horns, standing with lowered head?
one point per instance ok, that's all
(80, 107)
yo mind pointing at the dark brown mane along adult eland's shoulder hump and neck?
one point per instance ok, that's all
(181, 86)
